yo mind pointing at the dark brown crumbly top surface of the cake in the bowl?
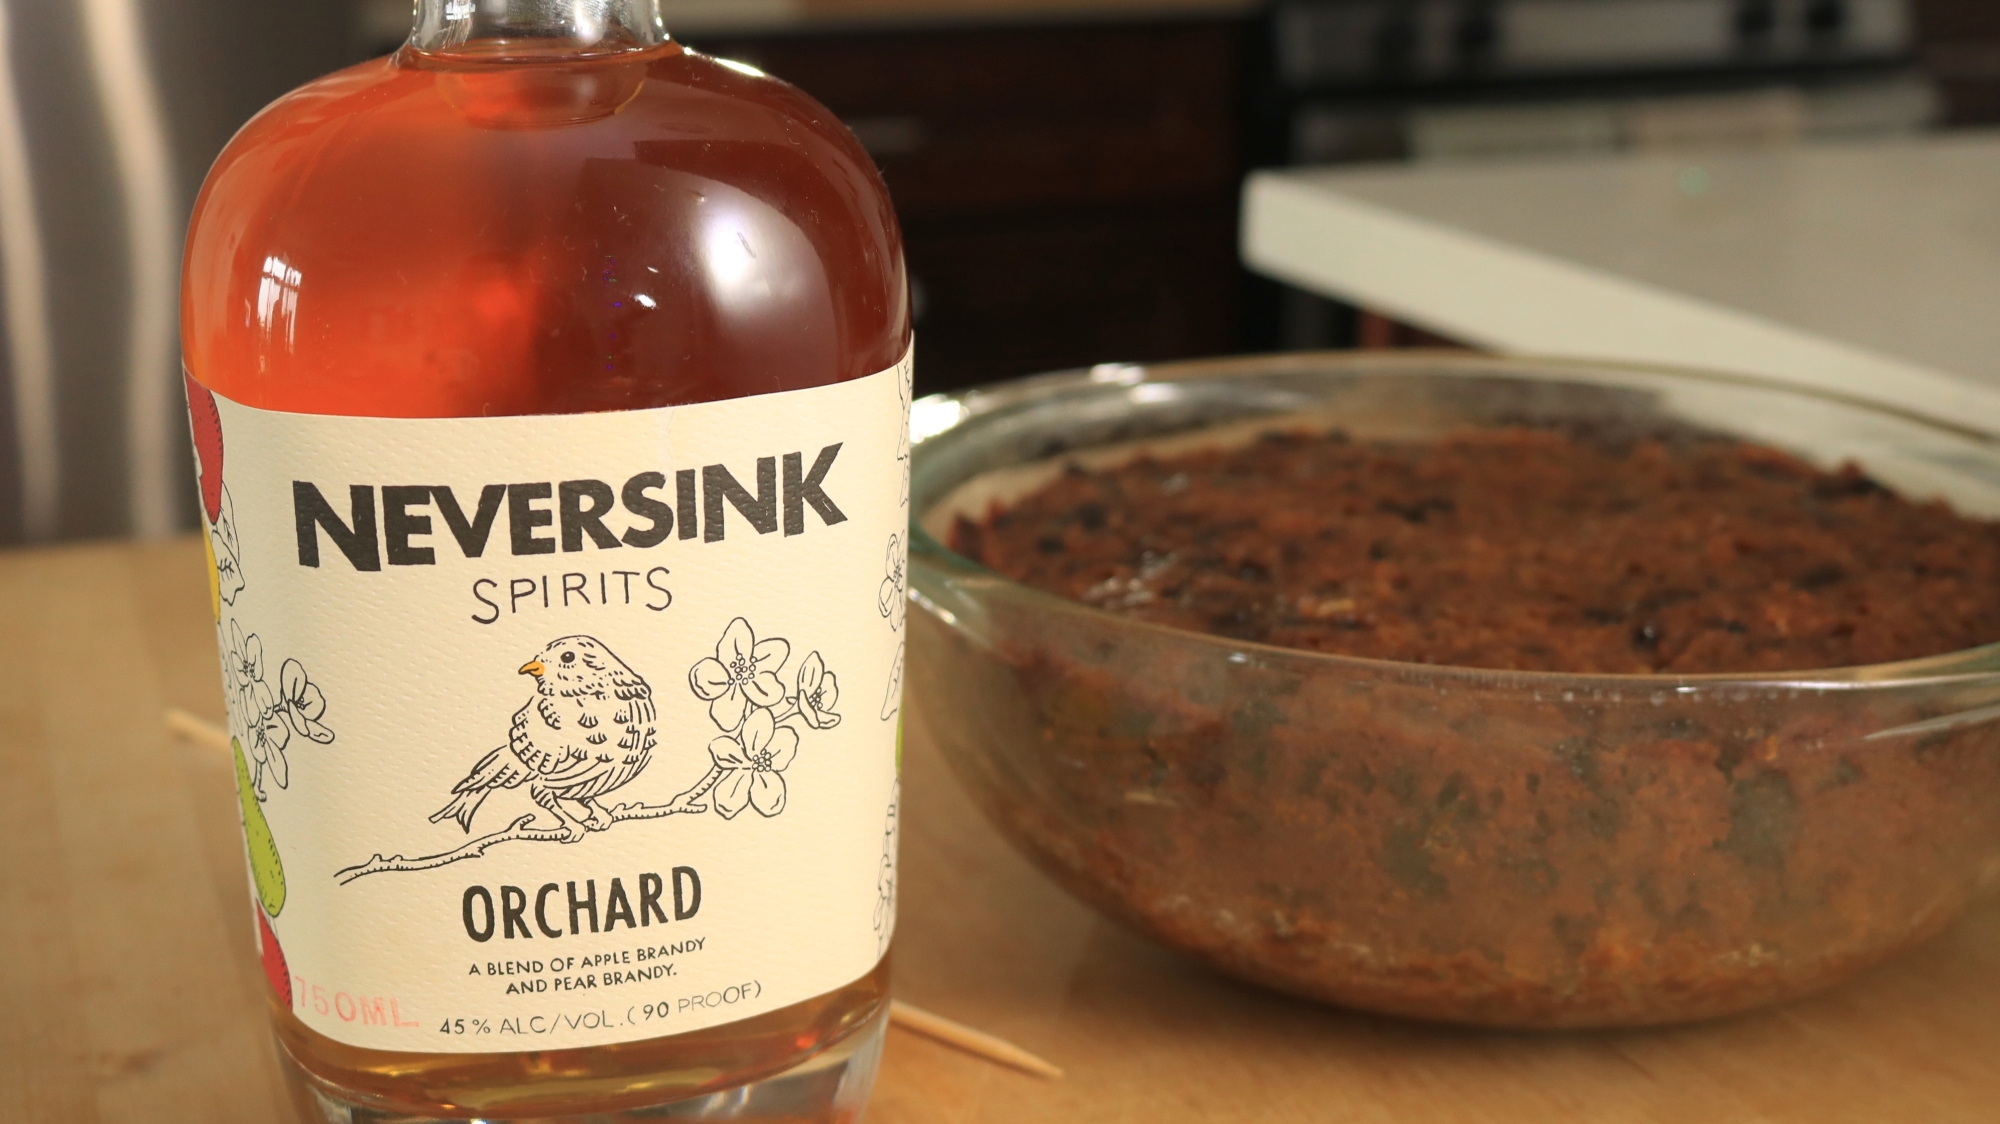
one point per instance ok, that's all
(1513, 549)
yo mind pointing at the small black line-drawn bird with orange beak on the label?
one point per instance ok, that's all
(563, 745)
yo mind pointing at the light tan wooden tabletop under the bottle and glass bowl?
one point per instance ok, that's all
(131, 993)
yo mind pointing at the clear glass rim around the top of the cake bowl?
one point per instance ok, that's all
(1967, 667)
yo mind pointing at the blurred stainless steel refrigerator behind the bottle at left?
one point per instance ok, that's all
(109, 117)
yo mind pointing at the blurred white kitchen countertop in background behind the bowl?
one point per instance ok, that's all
(1867, 267)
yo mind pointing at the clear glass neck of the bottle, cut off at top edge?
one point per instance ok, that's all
(537, 27)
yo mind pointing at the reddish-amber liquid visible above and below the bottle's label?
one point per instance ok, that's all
(541, 225)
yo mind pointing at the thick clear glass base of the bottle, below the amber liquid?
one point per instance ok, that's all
(829, 1089)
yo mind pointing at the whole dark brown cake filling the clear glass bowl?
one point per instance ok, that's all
(1503, 851)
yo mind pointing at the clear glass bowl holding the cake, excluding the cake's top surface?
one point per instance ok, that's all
(1505, 849)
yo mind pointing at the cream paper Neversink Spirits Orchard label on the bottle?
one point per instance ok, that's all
(565, 731)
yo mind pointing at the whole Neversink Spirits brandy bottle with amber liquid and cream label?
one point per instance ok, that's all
(551, 399)
